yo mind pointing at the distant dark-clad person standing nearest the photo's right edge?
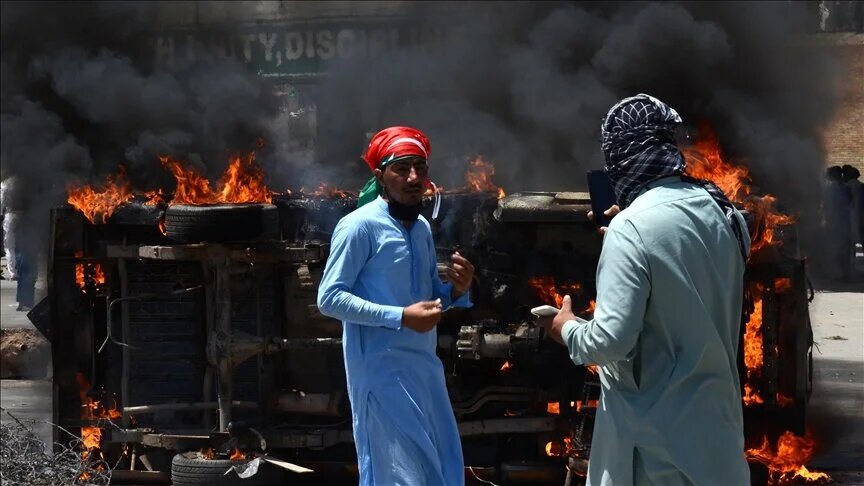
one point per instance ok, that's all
(837, 211)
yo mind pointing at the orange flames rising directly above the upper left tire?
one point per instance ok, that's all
(242, 182)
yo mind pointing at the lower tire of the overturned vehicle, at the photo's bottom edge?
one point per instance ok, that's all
(189, 469)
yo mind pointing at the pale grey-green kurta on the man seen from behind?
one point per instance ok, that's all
(665, 334)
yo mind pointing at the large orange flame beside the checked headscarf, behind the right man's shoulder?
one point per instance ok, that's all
(705, 161)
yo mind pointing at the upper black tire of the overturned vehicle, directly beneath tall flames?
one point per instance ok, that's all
(188, 223)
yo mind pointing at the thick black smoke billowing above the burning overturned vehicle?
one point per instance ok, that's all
(523, 83)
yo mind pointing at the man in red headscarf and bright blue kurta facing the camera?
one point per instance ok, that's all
(382, 281)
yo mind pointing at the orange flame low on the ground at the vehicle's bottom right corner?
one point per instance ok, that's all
(787, 463)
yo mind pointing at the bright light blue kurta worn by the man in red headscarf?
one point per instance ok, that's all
(404, 427)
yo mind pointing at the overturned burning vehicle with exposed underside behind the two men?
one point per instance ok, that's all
(186, 337)
